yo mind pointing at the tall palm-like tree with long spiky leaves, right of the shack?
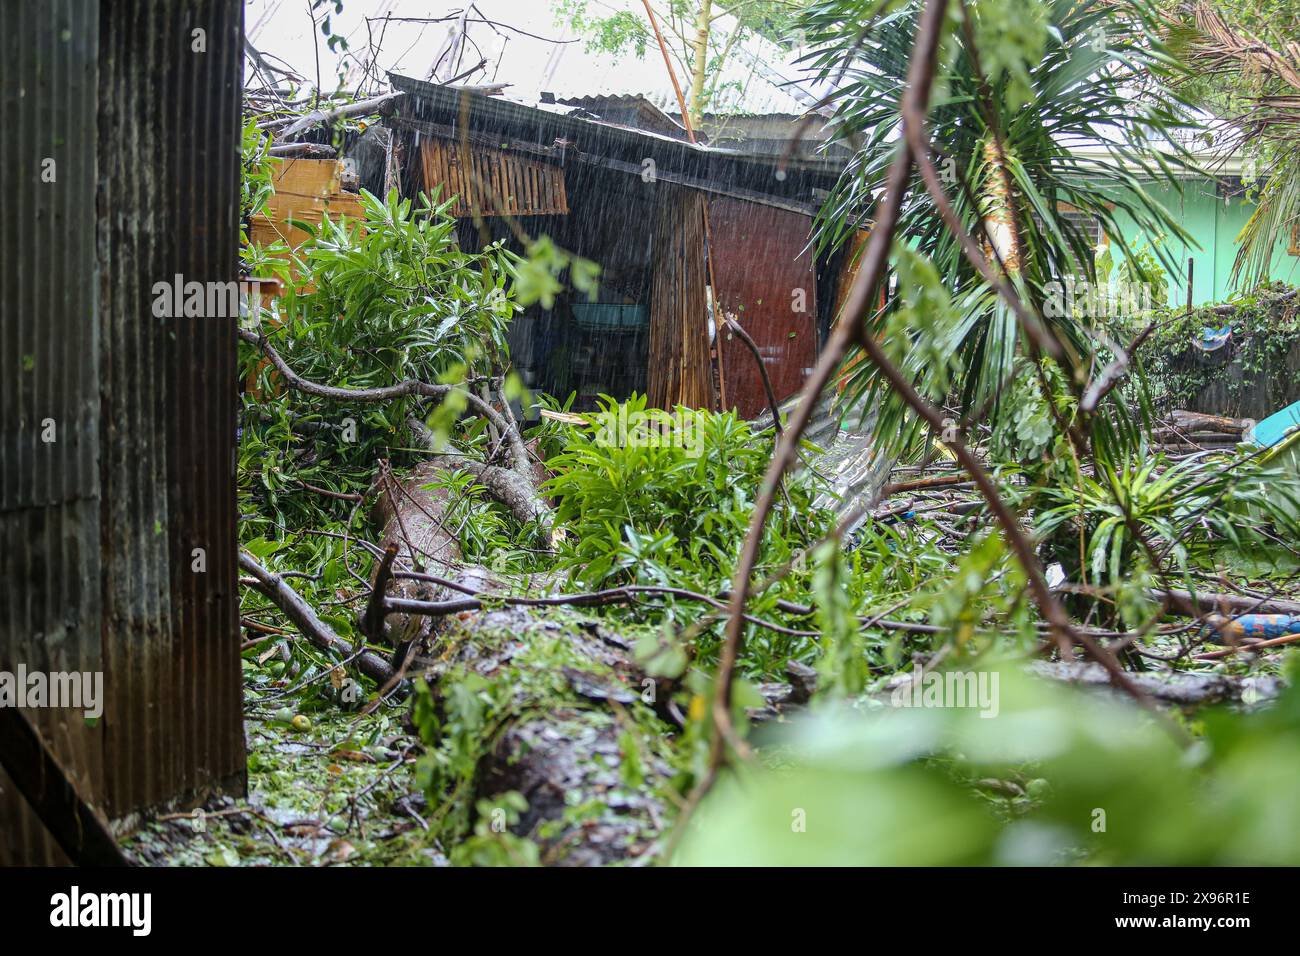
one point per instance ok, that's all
(1020, 84)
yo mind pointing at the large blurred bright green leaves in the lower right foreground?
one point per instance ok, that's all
(1060, 777)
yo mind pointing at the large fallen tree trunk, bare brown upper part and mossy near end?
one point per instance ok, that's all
(573, 720)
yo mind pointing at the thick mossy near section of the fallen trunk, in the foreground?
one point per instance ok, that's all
(571, 729)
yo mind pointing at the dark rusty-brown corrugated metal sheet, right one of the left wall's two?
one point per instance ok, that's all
(170, 183)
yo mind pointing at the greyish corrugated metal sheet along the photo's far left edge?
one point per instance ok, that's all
(49, 379)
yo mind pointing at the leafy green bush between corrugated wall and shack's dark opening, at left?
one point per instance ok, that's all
(369, 304)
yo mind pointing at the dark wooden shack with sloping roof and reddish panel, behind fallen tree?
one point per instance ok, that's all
(686, 237)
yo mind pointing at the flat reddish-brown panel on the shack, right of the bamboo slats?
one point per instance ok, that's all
(766, 282)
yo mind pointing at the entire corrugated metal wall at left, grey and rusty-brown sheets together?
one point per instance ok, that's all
(106, 560)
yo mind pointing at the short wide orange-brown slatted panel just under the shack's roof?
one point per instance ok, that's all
(491, 183)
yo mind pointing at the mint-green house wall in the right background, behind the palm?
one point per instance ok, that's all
(1215, 226)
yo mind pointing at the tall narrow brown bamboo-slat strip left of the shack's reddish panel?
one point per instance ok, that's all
(679, 370)
